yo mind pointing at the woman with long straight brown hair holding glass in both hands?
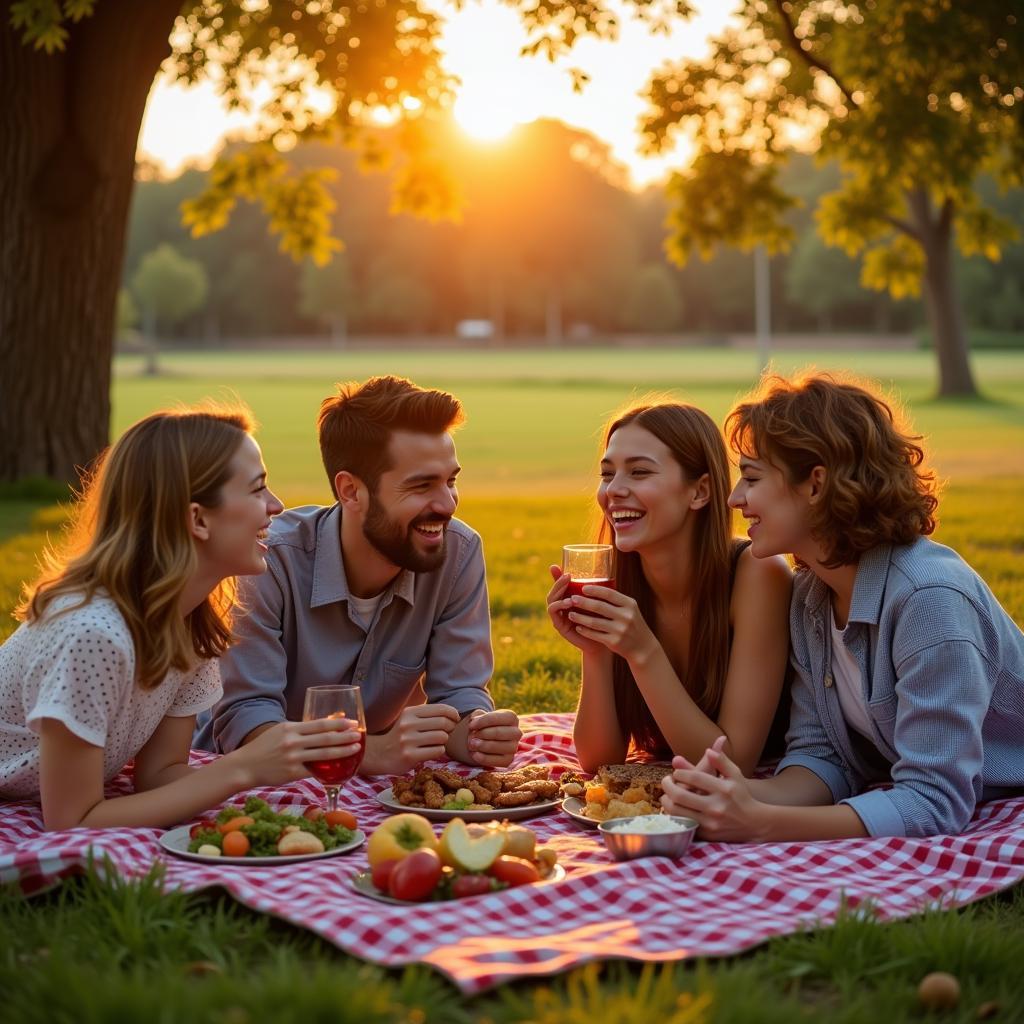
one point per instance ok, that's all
(693, 644)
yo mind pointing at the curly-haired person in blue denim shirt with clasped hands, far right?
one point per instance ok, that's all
(908, 670)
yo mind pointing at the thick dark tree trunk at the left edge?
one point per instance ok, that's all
(69, 130)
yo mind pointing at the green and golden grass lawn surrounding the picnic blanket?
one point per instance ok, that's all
(529, 450)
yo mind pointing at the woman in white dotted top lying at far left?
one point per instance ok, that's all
(121, 634)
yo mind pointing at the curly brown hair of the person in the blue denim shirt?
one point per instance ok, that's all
(876, 491)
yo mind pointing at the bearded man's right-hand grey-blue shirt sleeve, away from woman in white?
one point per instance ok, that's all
(460, 661)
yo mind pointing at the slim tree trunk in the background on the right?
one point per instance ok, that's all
(946, 312)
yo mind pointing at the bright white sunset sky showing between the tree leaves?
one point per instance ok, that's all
(499, 90)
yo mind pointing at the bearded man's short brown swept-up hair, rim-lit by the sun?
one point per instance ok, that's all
(356, 425)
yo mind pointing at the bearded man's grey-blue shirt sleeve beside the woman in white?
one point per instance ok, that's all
(254, 671)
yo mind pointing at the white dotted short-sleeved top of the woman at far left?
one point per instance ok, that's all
(79, 668)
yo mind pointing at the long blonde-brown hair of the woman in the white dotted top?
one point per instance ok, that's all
(131, 538)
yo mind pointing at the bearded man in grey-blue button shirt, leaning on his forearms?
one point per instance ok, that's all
(383, 589)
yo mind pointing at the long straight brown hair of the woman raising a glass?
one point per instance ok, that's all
(699, 448)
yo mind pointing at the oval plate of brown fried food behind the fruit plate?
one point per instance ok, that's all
(441, 794)
